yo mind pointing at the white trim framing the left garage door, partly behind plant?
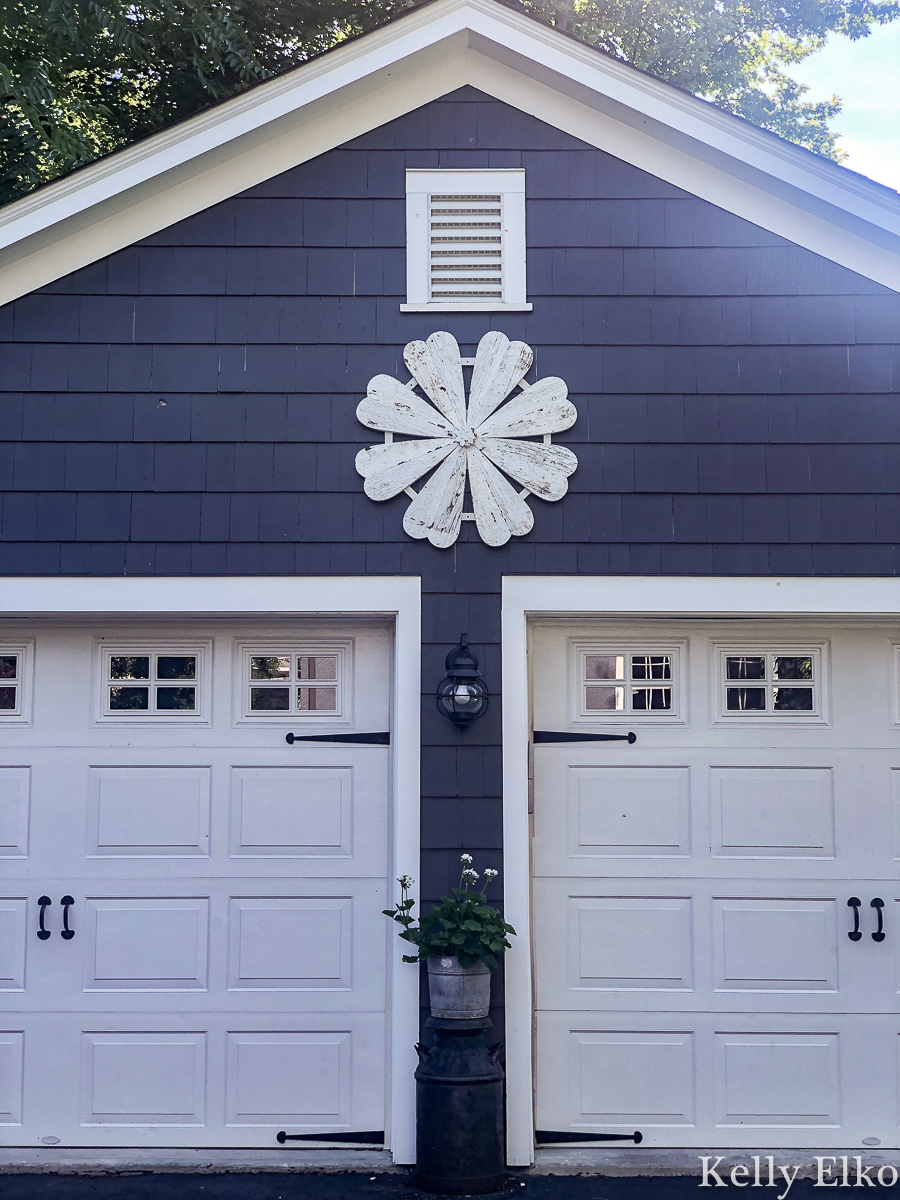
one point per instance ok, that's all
(263, 596)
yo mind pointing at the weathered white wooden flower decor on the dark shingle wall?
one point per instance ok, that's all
(464, 440)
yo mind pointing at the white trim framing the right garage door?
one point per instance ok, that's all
(614, 596)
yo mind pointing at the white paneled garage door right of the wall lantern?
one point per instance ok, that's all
(694, 974)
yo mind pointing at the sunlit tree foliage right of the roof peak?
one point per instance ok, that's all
(730, 52)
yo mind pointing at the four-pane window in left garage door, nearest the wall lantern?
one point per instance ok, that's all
(290, 682)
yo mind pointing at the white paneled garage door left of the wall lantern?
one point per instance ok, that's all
(225, 977)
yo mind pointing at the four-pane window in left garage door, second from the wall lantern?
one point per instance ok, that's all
(154, 682)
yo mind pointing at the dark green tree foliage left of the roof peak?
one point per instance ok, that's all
(80, 79)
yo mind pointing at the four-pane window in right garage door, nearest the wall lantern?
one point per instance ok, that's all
(631, 681)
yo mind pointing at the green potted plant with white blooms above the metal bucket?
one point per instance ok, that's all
(464, 925)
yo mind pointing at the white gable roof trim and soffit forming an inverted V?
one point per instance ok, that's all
(416, 59)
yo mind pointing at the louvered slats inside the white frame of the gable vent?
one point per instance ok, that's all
(466, 248)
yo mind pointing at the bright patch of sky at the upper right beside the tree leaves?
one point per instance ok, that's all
(867, 76)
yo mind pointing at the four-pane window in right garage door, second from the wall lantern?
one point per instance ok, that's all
(777, 683)
